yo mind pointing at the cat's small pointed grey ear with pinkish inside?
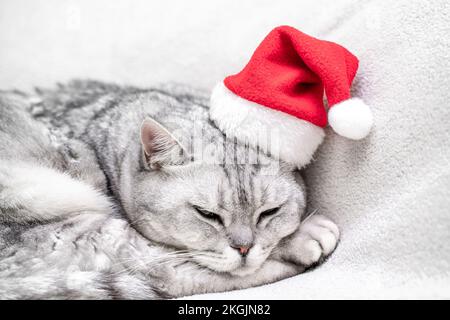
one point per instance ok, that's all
(160, 147)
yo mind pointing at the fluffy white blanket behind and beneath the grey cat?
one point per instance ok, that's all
(389, 193)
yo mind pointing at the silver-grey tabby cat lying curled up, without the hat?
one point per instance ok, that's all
(125, 193)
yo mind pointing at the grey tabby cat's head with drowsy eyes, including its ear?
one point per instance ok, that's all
(227, 206)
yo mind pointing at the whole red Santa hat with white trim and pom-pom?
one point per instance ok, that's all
(281, 90)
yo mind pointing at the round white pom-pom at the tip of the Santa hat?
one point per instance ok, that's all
(351, 118)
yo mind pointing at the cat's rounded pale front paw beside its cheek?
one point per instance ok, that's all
(316, 238)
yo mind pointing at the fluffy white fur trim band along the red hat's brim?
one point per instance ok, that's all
(286, 137)
